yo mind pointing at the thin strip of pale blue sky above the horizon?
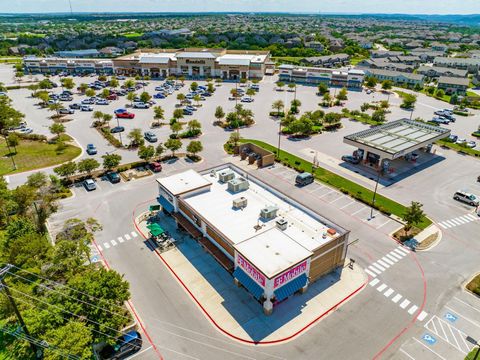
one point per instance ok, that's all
(310, 6)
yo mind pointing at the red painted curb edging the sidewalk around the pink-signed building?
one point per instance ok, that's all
(234, 336)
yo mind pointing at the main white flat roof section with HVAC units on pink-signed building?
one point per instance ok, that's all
(215, 206)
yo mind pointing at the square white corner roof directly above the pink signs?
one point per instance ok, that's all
(272, 251)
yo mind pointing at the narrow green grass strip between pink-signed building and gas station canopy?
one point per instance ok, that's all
(346, 186)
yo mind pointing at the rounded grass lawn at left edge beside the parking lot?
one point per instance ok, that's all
(34, 155)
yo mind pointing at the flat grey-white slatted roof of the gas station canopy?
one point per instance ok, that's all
(397, 138)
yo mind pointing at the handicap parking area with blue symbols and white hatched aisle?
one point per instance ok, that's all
(450, 333)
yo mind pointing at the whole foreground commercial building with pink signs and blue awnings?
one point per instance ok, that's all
(273, 245)
